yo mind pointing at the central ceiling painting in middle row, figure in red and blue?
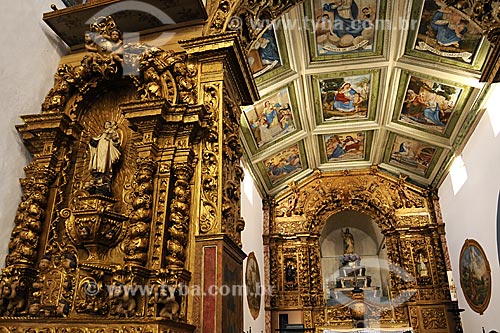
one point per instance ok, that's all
(346, 95)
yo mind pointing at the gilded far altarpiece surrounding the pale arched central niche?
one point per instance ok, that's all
(409, 219)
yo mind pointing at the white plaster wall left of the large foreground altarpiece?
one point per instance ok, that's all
(28, 60)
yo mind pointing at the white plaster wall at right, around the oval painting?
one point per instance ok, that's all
(471, 214)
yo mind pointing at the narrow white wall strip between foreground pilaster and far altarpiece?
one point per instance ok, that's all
(251, 210)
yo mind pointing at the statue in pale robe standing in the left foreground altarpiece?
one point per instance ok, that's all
(104, 153)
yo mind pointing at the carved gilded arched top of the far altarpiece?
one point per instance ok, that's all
(369, 191)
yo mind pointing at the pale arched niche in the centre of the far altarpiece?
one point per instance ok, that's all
(369, 245)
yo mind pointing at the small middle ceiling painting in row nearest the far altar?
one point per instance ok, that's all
(351, 146)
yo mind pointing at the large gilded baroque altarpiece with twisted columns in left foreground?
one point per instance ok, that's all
(132, 198)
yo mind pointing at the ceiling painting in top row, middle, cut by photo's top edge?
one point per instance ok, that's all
(345, 28)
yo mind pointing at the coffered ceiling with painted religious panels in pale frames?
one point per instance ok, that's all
(398, 87)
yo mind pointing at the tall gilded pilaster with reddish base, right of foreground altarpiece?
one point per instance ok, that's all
(225, 85)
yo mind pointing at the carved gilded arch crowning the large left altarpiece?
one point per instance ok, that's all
(155, 72)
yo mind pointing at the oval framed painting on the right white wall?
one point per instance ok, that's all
(475, 276)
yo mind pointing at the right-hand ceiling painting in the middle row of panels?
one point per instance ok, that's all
(430, 104)
